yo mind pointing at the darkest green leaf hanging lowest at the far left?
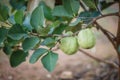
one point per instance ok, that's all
(17, 57)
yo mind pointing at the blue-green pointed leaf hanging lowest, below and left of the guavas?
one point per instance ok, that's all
(49, 61)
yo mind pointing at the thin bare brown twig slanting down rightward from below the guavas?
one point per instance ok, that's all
(98, 59)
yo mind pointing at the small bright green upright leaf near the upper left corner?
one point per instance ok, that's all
(19, 16)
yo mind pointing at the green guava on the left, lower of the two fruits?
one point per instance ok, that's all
(69, 45)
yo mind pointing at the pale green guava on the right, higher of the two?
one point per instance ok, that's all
(86, 39)
